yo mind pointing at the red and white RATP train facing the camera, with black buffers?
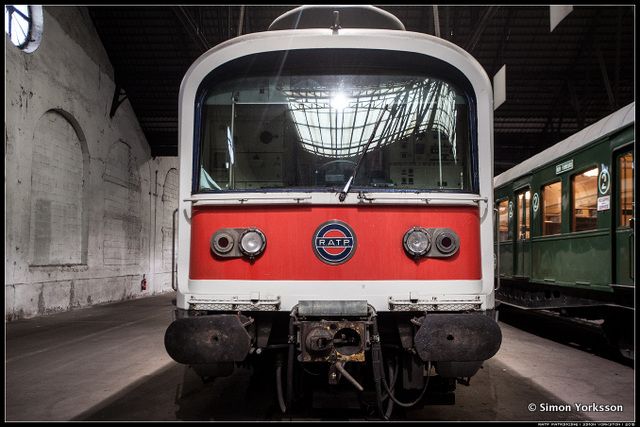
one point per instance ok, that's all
(335, 209)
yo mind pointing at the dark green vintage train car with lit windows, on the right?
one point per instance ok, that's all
(565, 228)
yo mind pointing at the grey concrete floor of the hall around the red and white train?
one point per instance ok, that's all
(109, 363)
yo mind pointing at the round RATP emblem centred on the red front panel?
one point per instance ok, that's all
(334, 242)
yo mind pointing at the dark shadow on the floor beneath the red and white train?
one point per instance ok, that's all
(175, 393)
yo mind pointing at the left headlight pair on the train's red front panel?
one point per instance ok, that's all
(238, 242)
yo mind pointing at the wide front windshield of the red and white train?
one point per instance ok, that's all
(298, 122)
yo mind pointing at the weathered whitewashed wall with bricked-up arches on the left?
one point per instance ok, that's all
(87, 209)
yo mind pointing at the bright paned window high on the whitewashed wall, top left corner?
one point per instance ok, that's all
(23, 24)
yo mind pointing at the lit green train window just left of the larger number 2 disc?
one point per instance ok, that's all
(584, 207)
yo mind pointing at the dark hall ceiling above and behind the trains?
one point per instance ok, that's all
(557, 82)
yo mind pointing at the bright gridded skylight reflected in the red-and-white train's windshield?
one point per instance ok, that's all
(339, 124)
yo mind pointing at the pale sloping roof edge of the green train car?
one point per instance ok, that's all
(601, 128)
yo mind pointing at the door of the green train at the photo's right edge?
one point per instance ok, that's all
(625, 217)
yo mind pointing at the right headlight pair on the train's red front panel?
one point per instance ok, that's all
(430, 242)
